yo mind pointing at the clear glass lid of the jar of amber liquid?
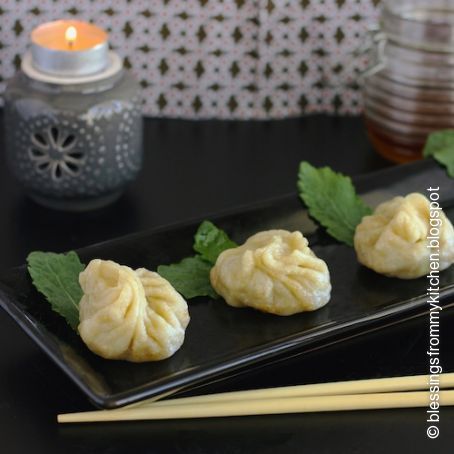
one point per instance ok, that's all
(422, 24)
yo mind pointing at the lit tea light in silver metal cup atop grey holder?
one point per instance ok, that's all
(69, 48)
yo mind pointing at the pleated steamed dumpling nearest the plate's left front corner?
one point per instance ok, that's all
(132, 315)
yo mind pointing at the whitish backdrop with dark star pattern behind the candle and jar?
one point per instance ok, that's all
(218, 58)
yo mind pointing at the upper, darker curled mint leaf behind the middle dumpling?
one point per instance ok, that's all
(210, 241)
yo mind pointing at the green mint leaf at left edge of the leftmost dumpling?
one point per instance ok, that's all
(56, 276)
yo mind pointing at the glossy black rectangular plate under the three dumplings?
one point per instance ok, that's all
(221, 340)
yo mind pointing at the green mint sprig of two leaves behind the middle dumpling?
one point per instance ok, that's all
(191, 276)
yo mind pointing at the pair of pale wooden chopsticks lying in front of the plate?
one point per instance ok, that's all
(396, 392)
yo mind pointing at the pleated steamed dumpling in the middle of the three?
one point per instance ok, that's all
(274, 271)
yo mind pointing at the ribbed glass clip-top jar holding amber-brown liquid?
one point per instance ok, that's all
(409, 88)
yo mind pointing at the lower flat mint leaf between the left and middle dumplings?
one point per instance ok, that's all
(190, 277)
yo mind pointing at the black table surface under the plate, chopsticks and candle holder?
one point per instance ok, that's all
(192, 169)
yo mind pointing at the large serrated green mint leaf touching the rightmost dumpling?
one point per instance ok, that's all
(332, 200)
